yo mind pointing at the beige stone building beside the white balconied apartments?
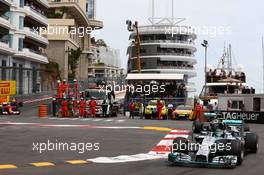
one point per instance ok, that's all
(70, 25)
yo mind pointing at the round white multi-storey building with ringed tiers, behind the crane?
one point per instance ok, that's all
(165, 49)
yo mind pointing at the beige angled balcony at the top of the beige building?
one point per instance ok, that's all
(73, 8)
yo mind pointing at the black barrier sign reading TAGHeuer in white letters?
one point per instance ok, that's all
(247, 116)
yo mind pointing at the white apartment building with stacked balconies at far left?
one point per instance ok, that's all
(22, 46)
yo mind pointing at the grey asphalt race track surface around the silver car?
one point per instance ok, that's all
(16, 147)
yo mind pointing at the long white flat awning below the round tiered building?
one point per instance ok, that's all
(138, 76)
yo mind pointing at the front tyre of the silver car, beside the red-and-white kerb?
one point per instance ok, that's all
(180, 145)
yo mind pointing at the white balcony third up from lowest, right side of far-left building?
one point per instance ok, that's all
(37, 15)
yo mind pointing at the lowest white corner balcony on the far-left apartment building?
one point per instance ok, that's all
(32, 55)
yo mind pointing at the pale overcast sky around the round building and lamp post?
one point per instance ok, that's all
(241, 20)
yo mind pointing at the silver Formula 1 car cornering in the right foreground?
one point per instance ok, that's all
(223, 143)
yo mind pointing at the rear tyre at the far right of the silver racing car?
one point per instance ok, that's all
(251, 142)
